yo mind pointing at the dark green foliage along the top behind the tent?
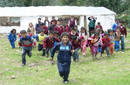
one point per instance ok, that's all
(118, 6)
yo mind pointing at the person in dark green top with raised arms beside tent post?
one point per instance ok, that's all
(92, 21)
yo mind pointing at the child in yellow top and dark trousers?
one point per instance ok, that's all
(40, 37)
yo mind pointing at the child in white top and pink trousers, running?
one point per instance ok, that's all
(83, 36)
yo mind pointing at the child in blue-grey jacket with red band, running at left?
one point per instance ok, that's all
(26, 44)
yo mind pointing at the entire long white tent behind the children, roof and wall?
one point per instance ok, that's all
(30, 14)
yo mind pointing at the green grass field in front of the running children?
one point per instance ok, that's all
(39, 70)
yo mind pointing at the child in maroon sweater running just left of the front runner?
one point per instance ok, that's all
(48, 43)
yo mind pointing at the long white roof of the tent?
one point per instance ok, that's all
(54, 11)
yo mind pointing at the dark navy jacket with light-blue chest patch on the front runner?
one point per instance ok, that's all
(64, 54)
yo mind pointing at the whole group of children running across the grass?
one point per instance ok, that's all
(67, 40)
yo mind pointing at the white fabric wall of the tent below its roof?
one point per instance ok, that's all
(105, 20)
